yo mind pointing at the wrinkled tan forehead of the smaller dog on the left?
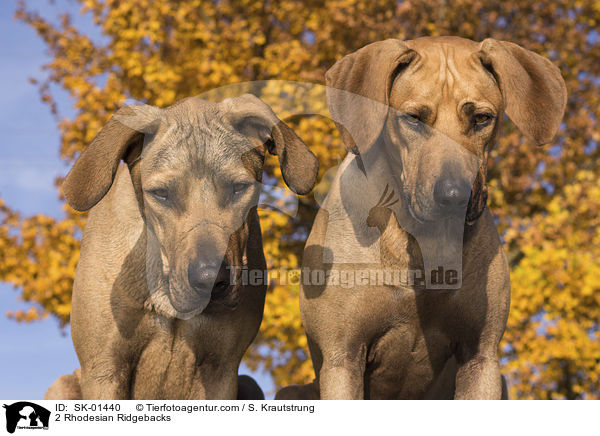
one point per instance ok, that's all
(195, 134)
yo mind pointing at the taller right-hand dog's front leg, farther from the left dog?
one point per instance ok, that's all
(479, 378)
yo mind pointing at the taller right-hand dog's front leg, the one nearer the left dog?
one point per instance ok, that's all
(342, 375)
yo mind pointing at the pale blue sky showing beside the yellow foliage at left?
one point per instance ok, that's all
(33, 355)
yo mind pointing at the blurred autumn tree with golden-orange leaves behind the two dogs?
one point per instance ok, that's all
(546, 199)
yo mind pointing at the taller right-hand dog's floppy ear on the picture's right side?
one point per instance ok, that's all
(534, 92)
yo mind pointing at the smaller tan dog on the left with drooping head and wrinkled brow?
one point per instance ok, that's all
(159, 308)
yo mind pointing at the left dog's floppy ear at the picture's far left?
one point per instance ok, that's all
(121, 138)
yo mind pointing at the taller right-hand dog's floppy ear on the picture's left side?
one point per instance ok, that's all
(358, 90)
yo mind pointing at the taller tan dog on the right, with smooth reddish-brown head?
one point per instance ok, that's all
(420, 118)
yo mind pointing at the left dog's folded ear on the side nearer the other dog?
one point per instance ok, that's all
(253, 117)
